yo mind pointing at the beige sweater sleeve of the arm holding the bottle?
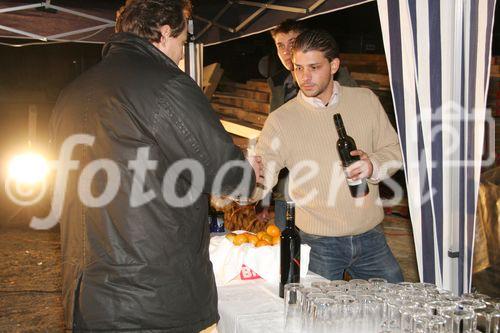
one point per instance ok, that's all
(386, 152)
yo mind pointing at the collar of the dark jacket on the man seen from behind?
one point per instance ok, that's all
(124, 40)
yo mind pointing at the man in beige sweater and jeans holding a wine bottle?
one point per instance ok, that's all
(344, 232)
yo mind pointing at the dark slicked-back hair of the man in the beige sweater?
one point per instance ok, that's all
(317, 40)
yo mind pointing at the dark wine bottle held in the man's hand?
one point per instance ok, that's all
(346, 144)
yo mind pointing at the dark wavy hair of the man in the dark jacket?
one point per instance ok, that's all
(144, 18)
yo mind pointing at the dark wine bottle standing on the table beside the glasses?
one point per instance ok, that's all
(289, 250)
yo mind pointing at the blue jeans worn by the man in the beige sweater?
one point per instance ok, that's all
(363, 256)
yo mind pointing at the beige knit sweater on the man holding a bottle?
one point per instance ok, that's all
(303, 138)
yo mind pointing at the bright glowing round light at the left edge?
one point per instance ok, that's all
(28, 168)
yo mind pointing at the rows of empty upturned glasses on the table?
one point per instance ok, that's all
(376, 306)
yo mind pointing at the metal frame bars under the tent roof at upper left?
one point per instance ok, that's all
(57, 37)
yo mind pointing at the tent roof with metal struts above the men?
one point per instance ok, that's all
(92, 21)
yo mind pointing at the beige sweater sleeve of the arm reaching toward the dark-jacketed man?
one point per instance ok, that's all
(270, 147)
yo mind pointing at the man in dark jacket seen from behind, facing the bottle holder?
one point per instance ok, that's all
(138, 260)
